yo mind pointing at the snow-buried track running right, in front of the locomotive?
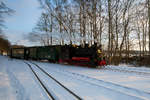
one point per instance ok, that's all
(106, 85)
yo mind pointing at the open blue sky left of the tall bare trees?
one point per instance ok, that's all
(22, 21)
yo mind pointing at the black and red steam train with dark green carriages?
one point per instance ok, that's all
(66, 54)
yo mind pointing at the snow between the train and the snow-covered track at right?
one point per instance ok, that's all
(129, 77)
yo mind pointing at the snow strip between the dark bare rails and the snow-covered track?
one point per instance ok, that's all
(88, 90)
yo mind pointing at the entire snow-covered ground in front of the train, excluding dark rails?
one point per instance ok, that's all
(17, 82)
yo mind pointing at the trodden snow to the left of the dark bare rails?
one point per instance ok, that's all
(17, 82)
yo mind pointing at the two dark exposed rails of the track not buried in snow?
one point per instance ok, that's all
(51, 77)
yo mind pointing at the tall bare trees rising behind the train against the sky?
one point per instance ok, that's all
(120, 26)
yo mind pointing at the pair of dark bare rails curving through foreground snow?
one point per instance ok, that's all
(50, 95)
